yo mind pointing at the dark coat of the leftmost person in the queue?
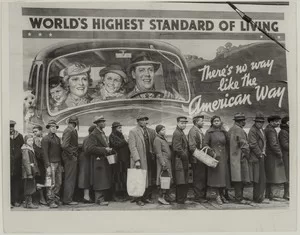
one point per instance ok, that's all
(16, 142)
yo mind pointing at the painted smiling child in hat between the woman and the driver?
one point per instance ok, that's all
(112, 82)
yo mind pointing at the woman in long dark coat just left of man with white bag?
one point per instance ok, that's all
(119, 170)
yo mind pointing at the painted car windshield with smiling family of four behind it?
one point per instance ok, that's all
(102, 75)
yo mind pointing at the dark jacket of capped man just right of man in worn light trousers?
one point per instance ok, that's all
(69, 143)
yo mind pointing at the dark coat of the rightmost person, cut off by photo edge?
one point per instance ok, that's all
(284, 144)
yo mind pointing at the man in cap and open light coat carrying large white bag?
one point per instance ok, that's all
(140, 143)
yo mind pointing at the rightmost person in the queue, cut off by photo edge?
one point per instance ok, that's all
(284, 144)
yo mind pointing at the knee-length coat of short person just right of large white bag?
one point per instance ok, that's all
(163, 156)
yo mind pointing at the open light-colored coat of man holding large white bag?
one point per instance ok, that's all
(137, 148)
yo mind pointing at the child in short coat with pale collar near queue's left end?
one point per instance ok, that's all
(29, 171)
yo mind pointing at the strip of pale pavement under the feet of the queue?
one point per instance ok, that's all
(210, 205)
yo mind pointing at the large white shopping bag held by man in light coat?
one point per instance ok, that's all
(136, 182)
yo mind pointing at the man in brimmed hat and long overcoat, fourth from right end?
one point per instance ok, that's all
(239, 154)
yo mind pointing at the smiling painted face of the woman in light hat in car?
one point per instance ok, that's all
(79, 84)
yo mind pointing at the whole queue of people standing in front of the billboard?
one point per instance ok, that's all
(260, 157)
